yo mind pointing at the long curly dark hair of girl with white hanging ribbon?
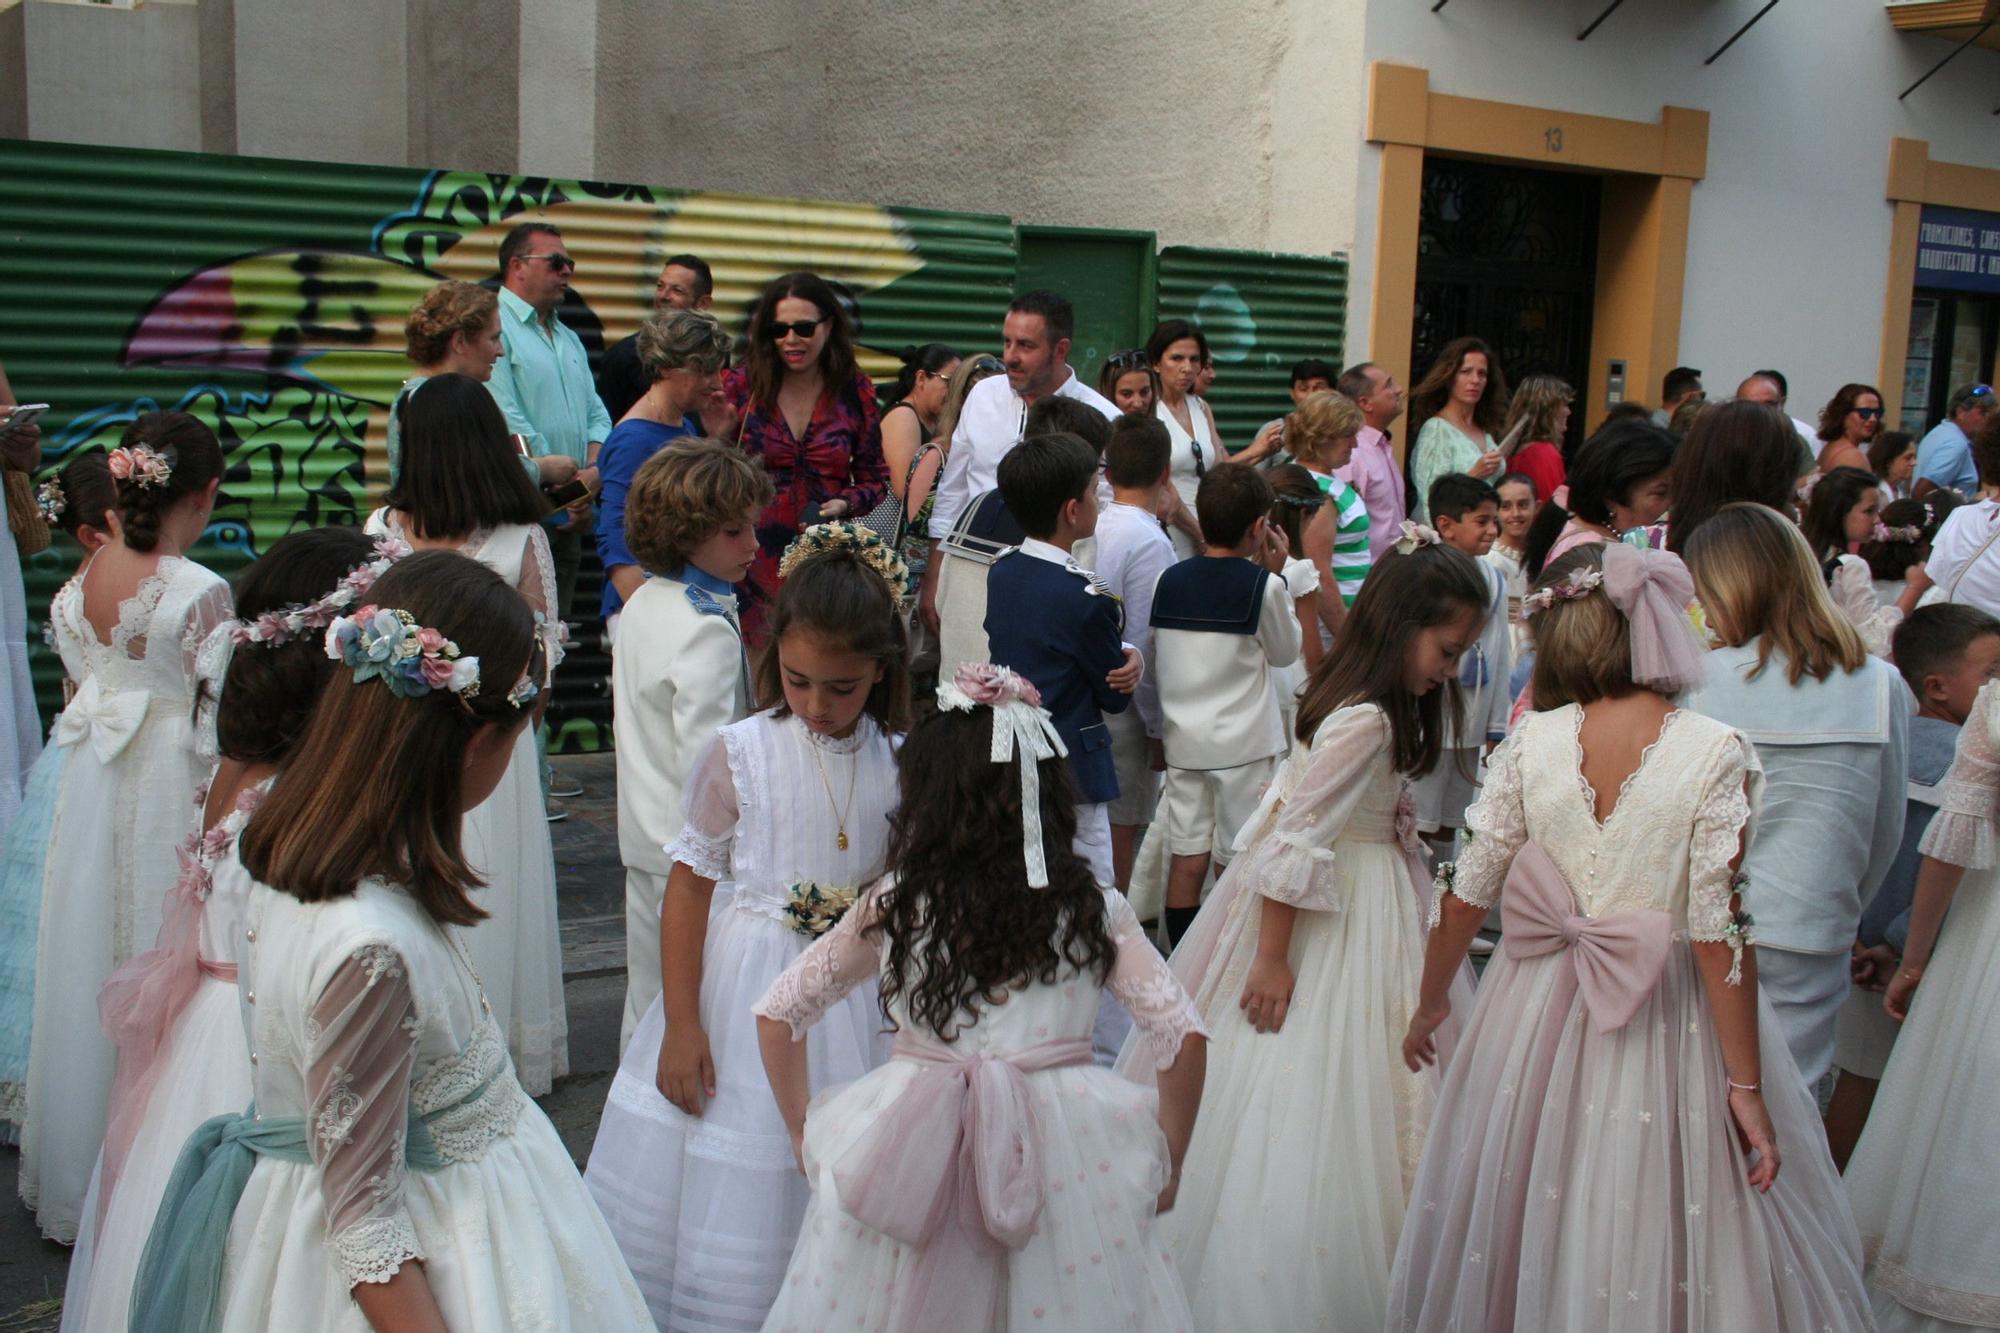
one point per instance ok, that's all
(963, 926)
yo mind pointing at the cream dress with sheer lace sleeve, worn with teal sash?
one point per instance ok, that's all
(359, 1012)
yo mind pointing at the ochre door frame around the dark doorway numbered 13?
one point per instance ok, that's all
(1643, 233)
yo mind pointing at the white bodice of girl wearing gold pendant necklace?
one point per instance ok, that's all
(761, 816)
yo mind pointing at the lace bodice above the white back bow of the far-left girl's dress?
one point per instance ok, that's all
(157, 637)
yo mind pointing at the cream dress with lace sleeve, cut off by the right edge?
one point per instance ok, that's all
(1927, 1172)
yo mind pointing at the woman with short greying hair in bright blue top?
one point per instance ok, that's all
(683, 355)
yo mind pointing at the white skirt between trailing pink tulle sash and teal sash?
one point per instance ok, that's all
(205, 1074)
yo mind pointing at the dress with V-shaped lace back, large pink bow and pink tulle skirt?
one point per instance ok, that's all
(1583, 1168)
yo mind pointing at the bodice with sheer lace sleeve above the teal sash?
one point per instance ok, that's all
(363, 1012)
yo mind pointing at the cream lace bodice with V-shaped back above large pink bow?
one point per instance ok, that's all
(1667, 846)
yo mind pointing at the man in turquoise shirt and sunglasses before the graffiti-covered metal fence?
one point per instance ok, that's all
(543, 381)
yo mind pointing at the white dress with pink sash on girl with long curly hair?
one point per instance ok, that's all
(997, 1182)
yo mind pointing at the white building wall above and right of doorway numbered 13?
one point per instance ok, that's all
(1791, 231)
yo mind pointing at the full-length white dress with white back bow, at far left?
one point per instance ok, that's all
(127, 802)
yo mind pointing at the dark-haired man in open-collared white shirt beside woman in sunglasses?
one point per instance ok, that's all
(1035, 345)
